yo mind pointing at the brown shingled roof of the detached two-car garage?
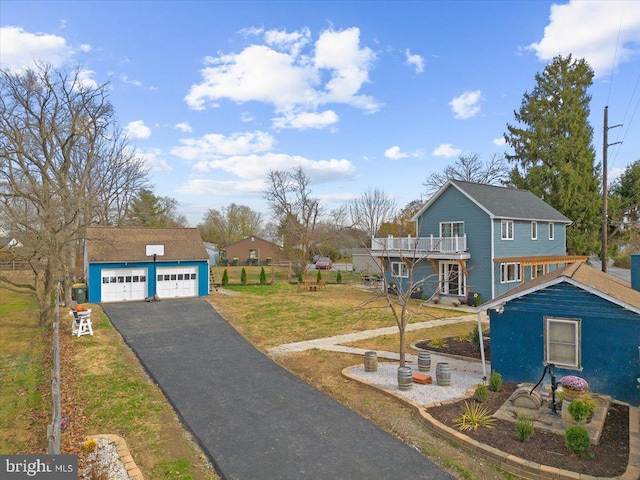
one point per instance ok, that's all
(128, 244)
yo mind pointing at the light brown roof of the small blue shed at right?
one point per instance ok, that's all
(582, 276)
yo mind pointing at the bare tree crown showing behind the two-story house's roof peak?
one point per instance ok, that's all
(470, 168)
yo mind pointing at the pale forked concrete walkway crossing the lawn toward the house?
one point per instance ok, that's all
(335, 344)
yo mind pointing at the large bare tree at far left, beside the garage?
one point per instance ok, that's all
(57, 137)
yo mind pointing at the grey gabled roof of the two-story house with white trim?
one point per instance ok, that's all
(502, 202)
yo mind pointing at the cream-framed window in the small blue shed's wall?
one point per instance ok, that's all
(562, 342)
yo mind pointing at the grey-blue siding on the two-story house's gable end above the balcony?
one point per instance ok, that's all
(453, 206)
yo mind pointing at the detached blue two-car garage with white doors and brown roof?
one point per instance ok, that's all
(135, 263)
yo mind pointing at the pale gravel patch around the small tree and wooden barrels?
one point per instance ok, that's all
(386, 377)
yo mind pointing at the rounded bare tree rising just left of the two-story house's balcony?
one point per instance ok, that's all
(371, 209)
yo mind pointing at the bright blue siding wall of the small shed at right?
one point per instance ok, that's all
(610, 340)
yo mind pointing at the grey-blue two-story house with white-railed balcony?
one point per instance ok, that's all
(477, 238)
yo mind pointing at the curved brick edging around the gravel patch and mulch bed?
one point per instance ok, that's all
(512, 464)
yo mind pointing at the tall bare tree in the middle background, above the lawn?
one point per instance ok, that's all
(295, 209)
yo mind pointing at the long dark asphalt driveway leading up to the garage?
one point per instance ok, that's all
(253, 418)
